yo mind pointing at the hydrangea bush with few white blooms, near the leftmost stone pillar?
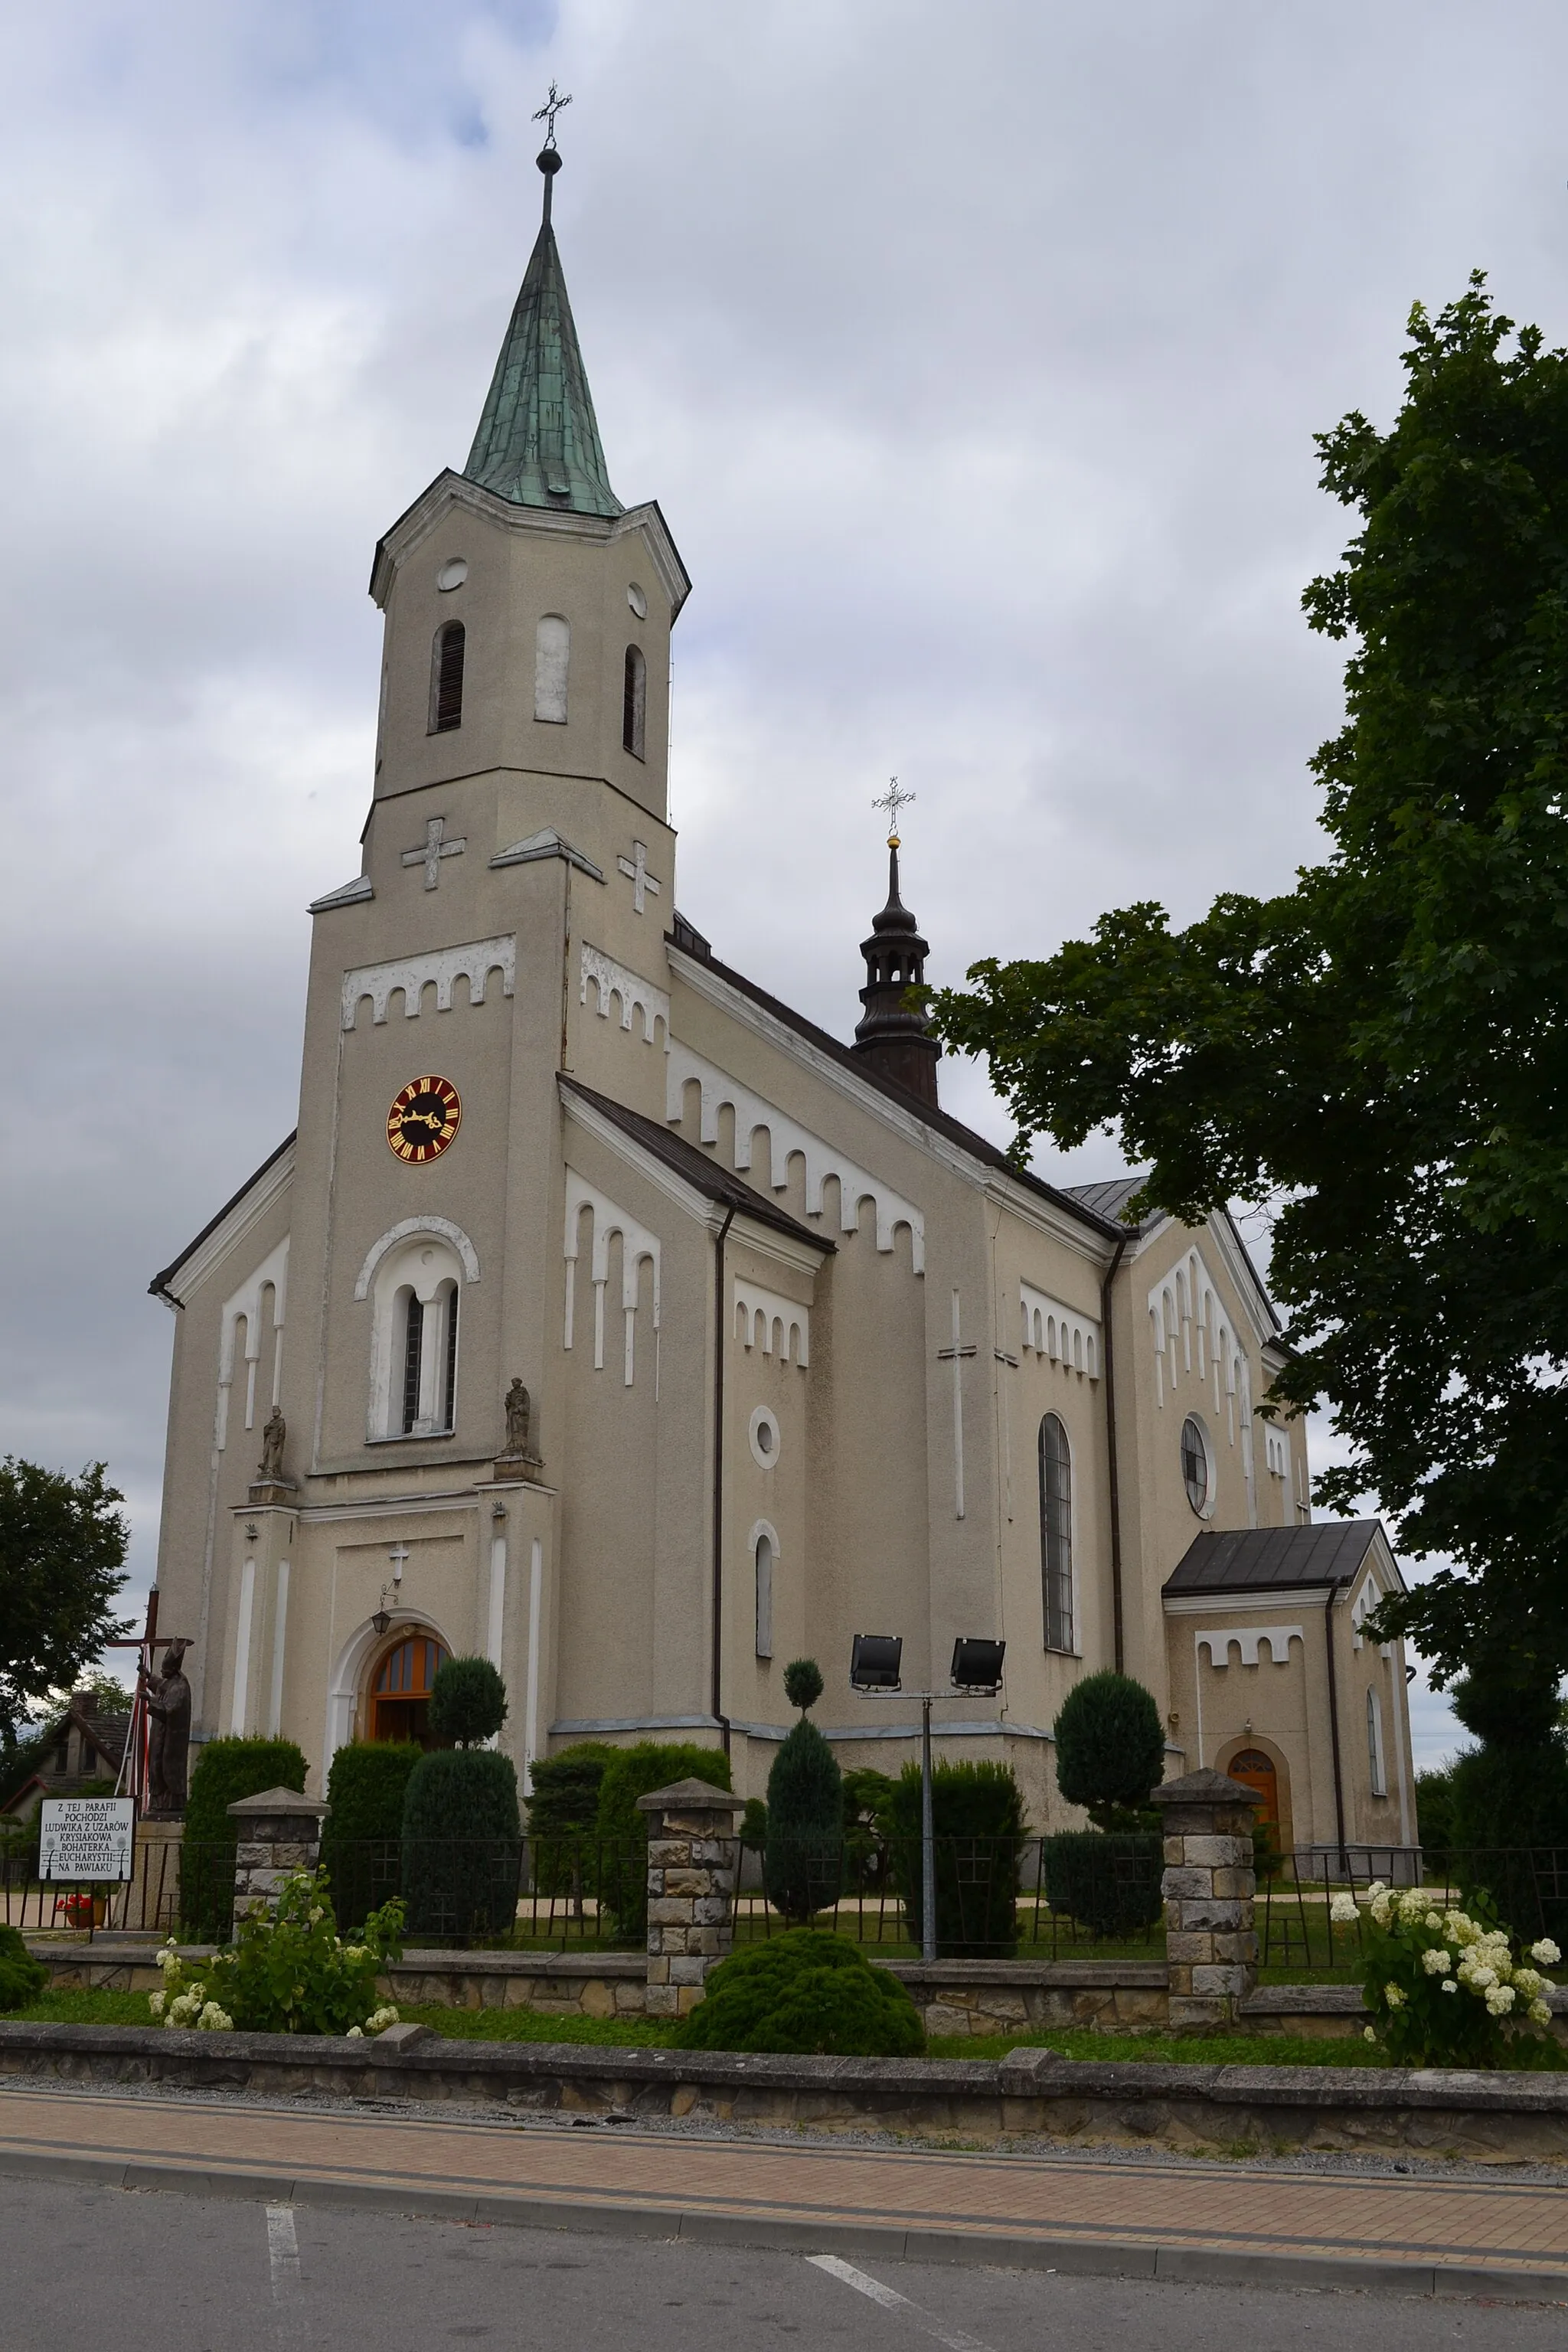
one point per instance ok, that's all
(288, 1972)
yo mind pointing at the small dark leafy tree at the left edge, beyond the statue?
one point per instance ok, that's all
(62, 1561)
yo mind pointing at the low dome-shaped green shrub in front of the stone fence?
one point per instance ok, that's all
(805, 1993)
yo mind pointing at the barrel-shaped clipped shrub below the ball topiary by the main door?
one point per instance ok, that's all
(462, 1845)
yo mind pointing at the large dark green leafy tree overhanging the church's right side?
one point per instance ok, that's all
(1381, 1053)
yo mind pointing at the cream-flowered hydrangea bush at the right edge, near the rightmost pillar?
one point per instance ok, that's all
(1445, 1989)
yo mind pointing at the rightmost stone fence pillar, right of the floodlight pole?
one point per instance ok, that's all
(1209, 1890)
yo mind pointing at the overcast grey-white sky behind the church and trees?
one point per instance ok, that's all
(974, 359)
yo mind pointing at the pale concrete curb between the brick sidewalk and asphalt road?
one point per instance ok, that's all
(1073, 2257)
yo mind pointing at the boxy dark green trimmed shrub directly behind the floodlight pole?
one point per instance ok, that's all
(977, 1812)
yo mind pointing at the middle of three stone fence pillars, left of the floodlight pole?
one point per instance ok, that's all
(695, 1859)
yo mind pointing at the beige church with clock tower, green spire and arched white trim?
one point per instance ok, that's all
(612, 1321)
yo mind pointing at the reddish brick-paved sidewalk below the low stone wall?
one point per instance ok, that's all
(1158, 2219)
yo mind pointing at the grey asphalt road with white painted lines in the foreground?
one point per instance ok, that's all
(112, 2271)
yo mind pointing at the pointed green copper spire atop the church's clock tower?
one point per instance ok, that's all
(540, 441)
